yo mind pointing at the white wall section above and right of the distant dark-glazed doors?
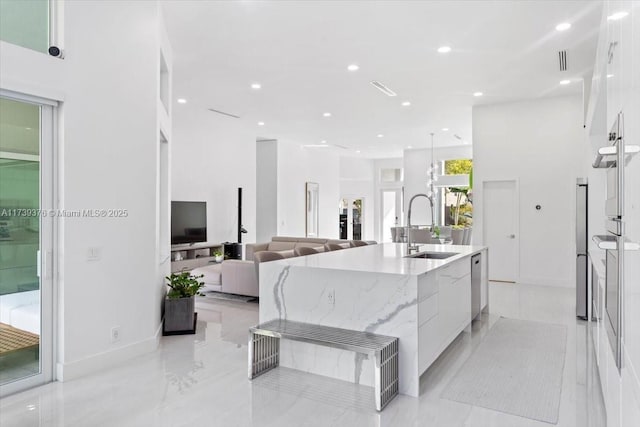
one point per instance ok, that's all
(357, 178)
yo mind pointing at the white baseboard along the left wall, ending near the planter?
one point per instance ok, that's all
(80, 368)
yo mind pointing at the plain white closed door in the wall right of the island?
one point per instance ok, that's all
(500, 213)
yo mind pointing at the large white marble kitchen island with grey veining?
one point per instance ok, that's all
(383, 289)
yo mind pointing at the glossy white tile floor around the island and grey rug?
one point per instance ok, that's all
(198, 380)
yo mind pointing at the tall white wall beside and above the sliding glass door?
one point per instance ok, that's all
(108, 147)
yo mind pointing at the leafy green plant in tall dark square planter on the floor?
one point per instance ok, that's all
(179, 304)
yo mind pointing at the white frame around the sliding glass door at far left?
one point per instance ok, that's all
(47, 265)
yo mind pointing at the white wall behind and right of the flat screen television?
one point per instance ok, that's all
(212, 156)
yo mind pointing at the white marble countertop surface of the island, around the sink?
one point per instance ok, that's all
(386, 258)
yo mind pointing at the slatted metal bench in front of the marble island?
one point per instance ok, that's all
(264, 350)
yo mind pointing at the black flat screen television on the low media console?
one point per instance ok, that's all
(188, 222)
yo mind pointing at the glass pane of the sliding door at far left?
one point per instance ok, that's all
(19, 240)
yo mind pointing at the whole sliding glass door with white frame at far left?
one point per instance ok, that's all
(26, 249)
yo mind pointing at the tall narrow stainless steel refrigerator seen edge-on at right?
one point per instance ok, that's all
(582, 260)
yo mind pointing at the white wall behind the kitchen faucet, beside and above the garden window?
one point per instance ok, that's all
(416, 166)
